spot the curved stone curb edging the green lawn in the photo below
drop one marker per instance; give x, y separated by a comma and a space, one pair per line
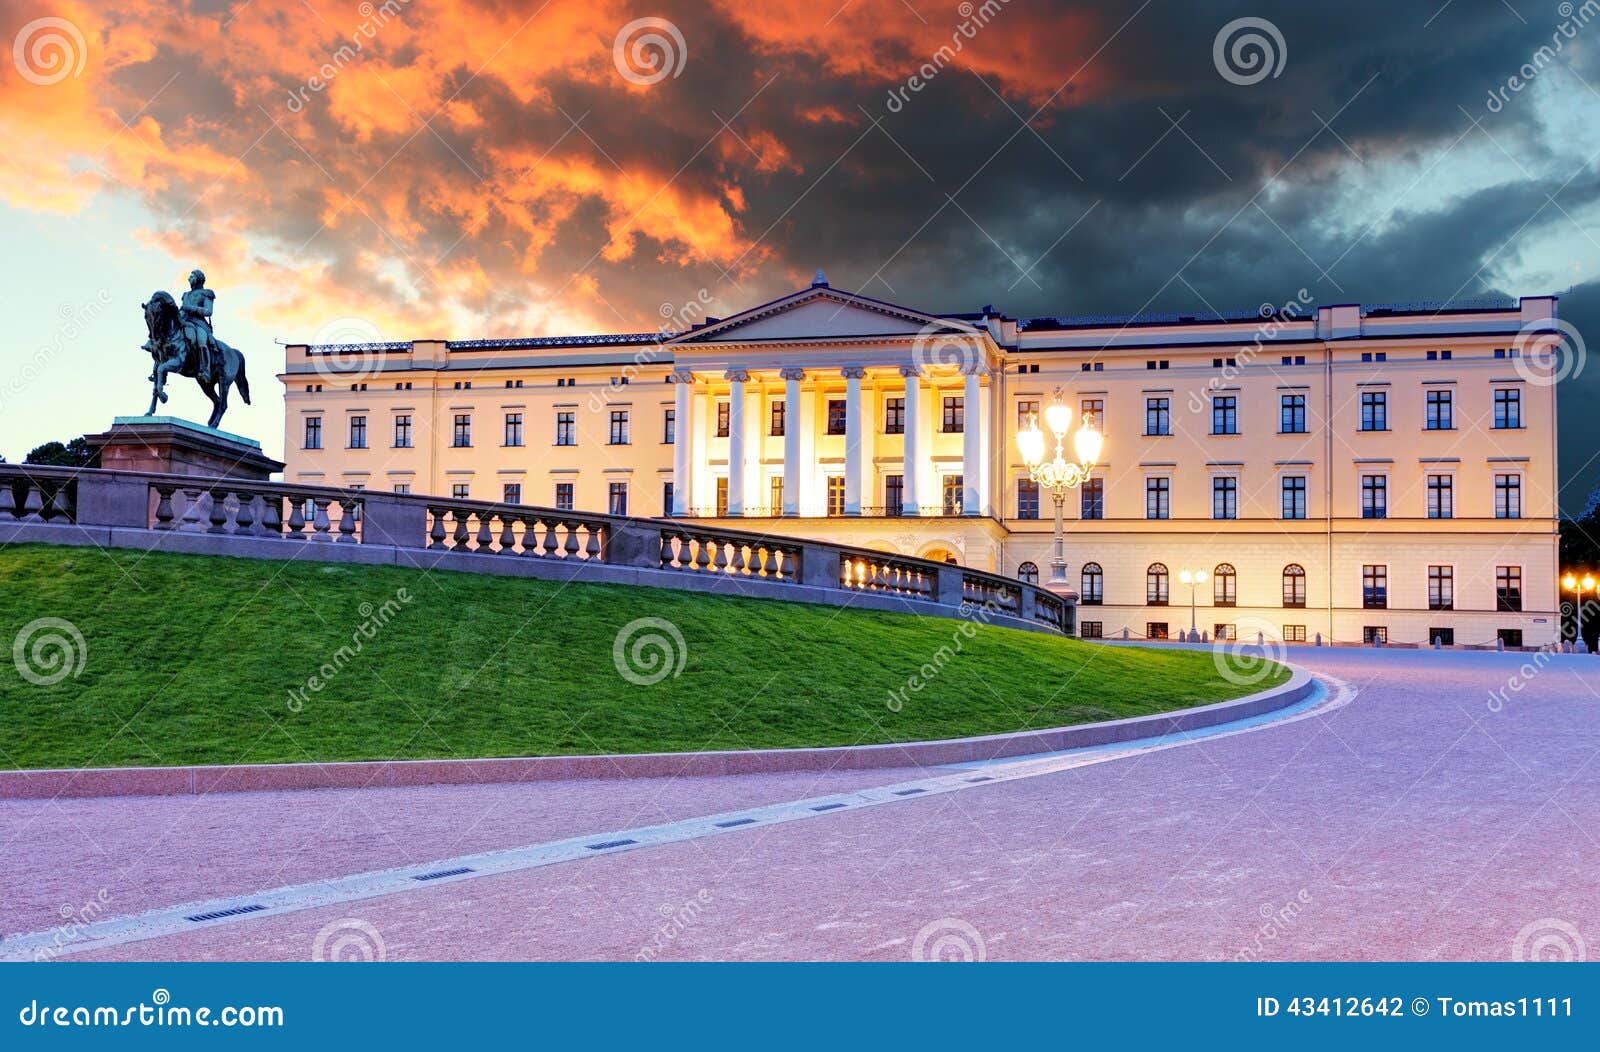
383, 775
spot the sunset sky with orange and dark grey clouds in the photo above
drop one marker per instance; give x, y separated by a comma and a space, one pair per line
514, 169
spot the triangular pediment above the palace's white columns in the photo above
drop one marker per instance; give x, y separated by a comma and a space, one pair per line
822, 313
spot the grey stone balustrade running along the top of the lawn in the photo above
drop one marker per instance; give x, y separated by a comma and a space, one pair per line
281, 520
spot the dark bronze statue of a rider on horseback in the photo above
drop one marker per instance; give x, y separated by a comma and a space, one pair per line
182, 341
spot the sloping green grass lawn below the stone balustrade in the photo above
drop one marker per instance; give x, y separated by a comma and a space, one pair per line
194, 659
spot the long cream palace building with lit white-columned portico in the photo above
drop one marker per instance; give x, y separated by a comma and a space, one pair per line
1348, 472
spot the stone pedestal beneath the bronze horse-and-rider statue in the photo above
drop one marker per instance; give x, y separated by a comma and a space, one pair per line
174, 447
